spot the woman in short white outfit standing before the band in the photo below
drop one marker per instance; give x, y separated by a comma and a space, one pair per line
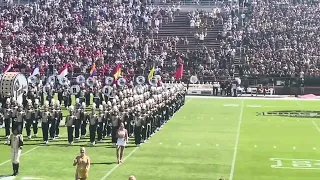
122, 139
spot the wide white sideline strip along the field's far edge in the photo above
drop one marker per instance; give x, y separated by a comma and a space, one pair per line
275, 98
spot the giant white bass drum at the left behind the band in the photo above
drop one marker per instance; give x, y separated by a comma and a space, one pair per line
13, 85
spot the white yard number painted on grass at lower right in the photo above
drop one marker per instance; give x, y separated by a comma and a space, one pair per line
282, 163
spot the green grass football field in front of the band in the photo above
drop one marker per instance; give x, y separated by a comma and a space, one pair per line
207, 139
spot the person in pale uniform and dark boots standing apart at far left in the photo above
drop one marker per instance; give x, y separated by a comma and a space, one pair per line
16, 143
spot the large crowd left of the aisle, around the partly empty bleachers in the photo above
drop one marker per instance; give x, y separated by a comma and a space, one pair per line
106, 32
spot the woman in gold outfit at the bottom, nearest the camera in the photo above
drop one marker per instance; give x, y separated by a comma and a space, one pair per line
83, 165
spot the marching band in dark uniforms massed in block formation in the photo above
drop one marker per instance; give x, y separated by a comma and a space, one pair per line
143, 109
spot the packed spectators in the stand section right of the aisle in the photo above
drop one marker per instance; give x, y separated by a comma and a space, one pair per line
282, 39
